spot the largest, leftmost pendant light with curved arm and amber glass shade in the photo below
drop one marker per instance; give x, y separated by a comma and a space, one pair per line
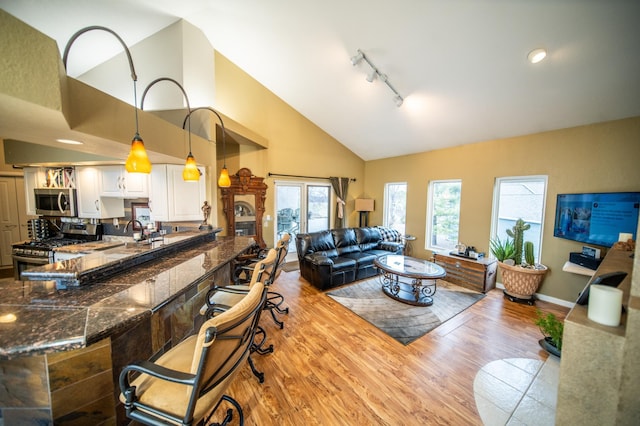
137, 161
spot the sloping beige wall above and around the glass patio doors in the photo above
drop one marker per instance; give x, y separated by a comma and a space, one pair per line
296, 145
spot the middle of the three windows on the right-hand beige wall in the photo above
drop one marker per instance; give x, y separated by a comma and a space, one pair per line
443, 217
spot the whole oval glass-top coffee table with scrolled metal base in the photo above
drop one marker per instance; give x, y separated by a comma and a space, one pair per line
409, 280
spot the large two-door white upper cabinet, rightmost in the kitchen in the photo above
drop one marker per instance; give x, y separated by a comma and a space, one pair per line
171, 199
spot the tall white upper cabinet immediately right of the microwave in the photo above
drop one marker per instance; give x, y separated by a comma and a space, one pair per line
91, 204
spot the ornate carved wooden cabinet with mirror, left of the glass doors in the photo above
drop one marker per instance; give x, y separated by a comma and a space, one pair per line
243, 205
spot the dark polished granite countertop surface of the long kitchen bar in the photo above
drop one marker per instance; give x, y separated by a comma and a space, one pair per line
37, 317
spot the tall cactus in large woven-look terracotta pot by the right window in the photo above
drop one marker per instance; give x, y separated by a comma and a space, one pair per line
521, 275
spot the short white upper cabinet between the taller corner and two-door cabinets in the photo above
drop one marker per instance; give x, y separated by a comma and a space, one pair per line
116, 182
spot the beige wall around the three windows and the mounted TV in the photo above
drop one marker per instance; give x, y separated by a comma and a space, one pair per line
596, 158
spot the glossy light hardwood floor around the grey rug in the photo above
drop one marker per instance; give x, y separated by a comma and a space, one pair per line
330, 367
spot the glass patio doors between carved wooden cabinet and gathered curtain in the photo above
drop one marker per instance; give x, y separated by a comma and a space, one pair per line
301, 207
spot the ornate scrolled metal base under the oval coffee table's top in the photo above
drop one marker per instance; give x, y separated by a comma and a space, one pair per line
413, 291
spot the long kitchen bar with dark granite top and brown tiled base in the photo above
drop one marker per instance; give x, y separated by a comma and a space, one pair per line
62, 350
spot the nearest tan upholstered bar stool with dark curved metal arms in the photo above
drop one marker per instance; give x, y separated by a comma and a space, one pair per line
185, 384
